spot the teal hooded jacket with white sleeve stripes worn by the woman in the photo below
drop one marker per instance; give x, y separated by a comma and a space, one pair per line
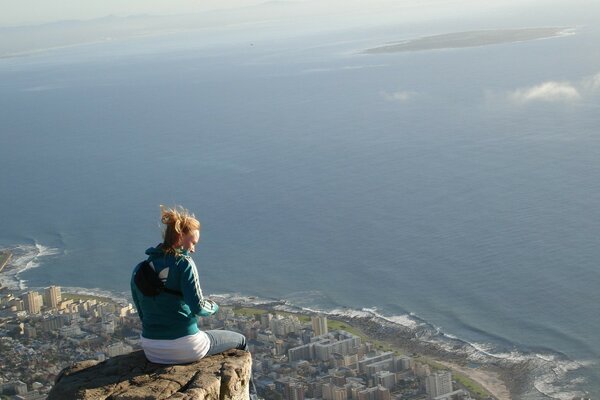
169, 316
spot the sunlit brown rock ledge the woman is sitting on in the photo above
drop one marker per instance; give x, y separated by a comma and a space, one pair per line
220, 377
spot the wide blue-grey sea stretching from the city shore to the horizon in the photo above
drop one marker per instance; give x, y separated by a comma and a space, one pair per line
410, 183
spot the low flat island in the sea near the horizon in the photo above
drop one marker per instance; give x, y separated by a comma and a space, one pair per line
457, 40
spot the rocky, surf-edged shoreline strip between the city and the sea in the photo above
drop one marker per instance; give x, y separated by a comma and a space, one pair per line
497, 371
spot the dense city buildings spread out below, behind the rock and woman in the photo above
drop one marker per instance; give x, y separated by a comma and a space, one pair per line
295, 357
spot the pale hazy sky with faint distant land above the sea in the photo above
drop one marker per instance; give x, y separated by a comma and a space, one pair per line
57, 26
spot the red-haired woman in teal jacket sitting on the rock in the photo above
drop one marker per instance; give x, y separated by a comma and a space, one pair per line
170, 333
